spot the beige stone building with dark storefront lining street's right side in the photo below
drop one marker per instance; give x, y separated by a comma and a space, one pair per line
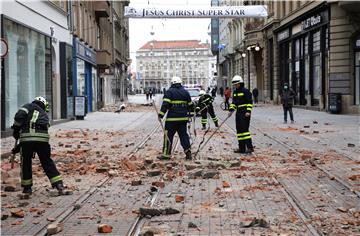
312, 45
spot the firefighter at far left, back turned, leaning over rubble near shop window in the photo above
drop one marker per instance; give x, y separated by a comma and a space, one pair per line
31, 124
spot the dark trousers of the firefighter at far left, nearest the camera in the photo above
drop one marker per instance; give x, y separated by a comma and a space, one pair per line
28, 149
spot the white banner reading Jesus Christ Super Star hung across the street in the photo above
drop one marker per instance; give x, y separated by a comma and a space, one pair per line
201, 12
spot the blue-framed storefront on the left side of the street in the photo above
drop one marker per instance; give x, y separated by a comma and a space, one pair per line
85, 74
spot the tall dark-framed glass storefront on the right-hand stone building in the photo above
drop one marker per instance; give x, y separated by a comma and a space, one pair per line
303, 53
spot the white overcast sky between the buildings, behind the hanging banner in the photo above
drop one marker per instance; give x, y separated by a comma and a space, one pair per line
166, 29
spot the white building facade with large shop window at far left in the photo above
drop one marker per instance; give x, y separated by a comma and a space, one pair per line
33, 65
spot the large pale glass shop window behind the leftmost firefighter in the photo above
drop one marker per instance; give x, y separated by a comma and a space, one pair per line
26, 70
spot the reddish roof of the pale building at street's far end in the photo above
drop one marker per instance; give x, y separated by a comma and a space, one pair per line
175, 44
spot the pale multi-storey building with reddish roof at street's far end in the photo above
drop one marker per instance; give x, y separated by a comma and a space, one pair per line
158, 61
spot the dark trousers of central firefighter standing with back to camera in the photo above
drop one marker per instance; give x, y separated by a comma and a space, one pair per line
171, 127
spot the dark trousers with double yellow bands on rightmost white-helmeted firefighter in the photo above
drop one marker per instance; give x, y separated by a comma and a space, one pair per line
242, 129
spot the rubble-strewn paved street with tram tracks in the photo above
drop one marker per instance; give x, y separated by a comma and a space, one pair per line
303, 178
